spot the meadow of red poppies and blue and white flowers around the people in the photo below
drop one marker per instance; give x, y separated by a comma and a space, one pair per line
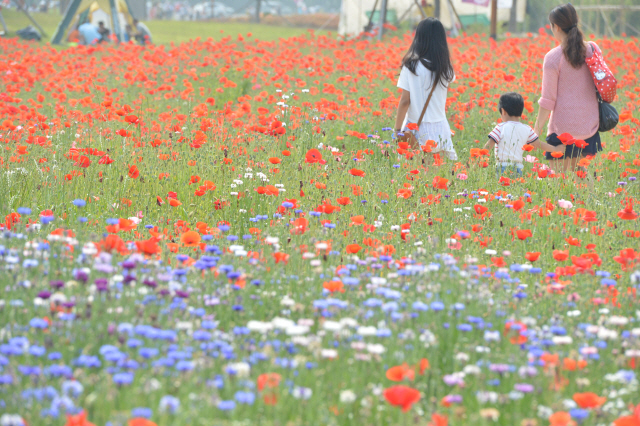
225, 233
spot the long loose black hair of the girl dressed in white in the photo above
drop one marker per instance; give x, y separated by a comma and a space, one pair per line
430, 47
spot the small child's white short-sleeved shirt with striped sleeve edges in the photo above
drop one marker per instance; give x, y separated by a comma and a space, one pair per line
510, 137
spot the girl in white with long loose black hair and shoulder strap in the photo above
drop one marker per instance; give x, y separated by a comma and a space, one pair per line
427, 70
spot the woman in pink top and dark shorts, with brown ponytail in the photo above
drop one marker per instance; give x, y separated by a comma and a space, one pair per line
569, 100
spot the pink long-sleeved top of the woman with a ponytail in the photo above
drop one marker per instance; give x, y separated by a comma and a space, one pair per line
570, 94
